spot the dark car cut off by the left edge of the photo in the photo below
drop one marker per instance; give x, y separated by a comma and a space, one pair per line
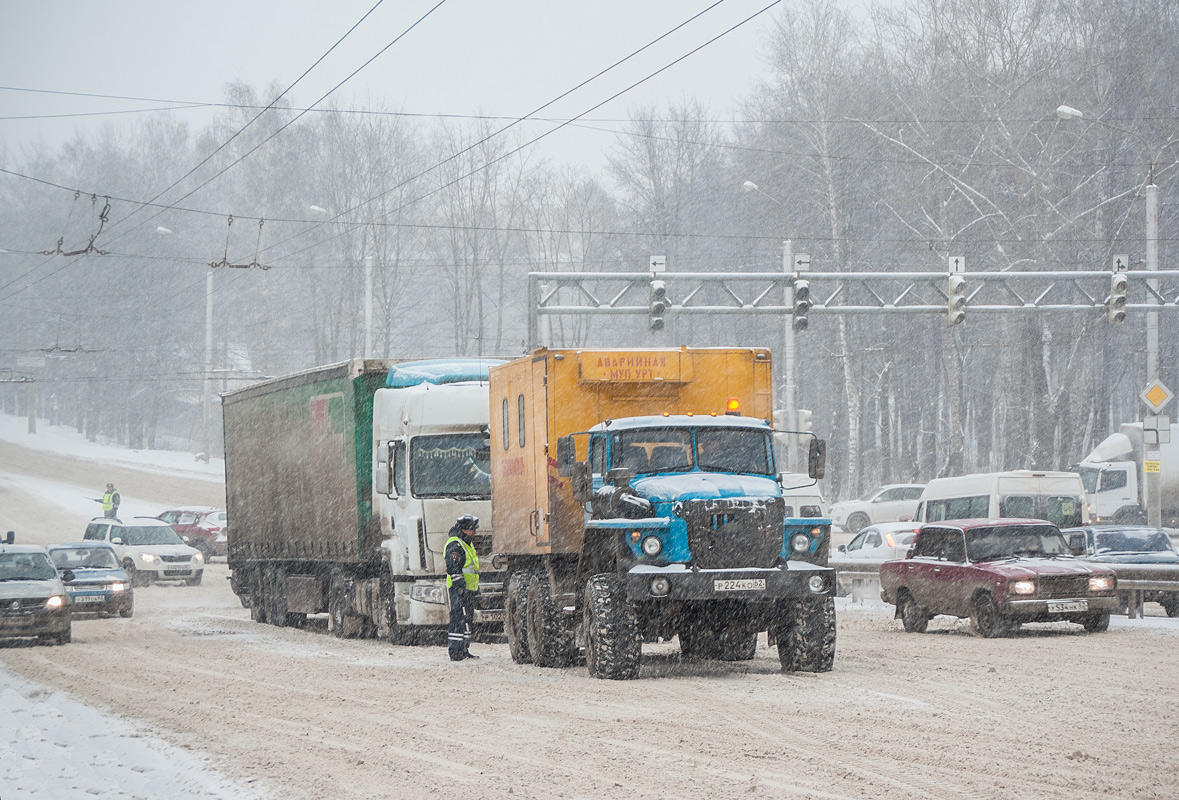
34, 601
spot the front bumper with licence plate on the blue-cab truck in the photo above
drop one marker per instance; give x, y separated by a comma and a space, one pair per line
677, 583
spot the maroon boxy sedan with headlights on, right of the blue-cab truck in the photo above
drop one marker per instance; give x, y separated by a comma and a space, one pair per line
1000, 573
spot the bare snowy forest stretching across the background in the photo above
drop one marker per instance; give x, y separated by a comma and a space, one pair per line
886, 142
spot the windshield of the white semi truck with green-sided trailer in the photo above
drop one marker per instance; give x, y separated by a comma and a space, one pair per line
456, 466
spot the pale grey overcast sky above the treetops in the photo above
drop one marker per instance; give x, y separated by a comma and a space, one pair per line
469, 57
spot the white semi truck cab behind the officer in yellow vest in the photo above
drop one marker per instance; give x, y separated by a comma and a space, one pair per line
432, 465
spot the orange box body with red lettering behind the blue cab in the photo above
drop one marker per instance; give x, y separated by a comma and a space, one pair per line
538, 399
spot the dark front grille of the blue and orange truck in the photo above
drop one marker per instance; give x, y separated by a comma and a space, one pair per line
732, 534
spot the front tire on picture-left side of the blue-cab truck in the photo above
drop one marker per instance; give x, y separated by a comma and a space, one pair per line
614, 646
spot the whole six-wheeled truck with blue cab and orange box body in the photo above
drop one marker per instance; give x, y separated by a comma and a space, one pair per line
635, 499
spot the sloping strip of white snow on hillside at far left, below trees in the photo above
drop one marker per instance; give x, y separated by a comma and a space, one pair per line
60, 439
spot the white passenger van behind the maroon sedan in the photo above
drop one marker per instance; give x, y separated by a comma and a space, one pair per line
1058, 498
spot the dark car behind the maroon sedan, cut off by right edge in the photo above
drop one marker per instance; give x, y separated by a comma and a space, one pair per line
1141, 556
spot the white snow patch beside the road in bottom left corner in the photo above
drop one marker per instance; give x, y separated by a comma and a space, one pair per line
52, 746
